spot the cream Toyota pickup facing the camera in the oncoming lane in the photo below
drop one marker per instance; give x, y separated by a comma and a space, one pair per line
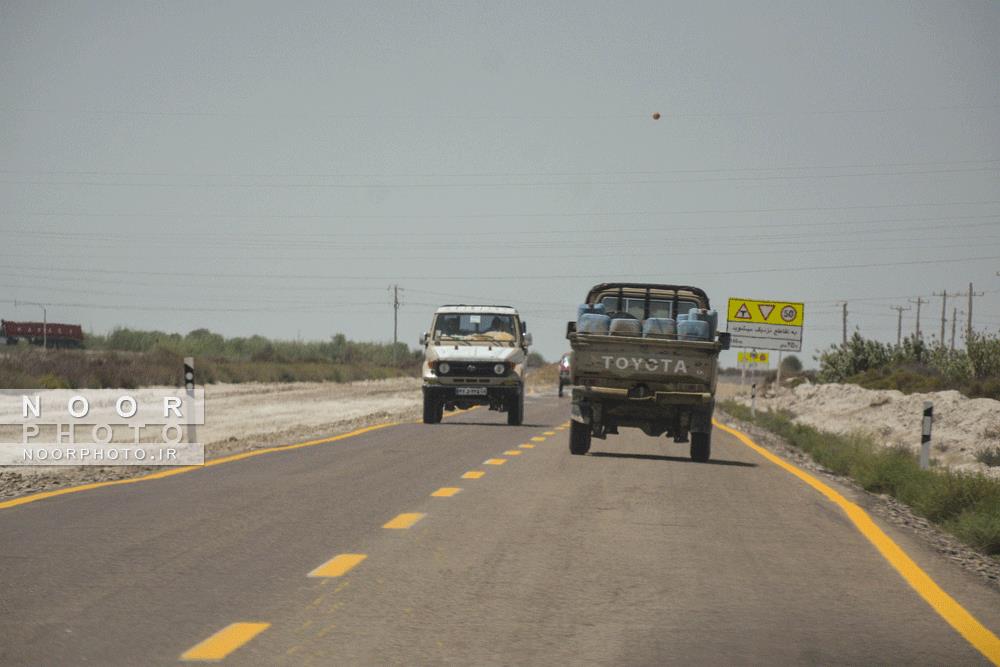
475, 355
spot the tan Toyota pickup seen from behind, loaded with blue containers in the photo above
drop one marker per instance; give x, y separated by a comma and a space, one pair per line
638, 362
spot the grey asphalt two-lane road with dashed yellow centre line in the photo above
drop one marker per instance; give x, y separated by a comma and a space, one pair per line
629, 556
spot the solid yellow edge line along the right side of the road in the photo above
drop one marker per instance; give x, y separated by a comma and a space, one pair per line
946, 606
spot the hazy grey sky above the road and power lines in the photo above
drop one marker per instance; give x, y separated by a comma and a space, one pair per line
273, 167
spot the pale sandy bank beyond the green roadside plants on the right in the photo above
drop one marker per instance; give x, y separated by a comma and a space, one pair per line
962, 426
